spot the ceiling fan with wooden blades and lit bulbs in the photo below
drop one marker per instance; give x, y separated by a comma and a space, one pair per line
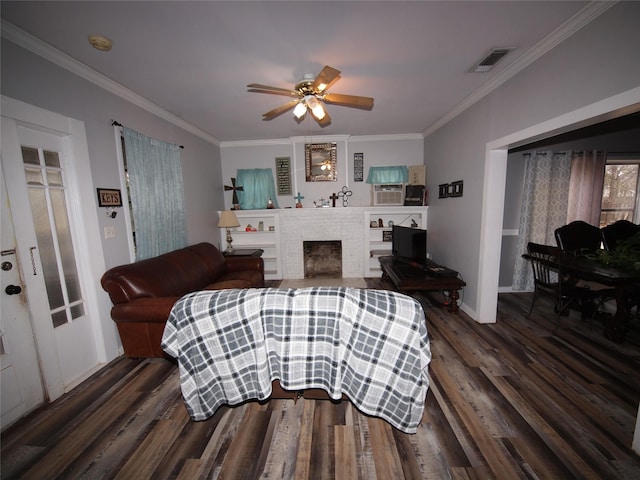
309, 94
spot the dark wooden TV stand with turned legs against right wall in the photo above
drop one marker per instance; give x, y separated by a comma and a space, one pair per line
414, 278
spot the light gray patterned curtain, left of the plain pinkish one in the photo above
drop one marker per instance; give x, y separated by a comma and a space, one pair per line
544, 207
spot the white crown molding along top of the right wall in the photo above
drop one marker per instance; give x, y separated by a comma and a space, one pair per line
583, 17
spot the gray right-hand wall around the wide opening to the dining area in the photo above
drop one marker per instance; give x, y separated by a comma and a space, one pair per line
596, 63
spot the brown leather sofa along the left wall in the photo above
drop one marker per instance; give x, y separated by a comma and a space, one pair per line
144, 292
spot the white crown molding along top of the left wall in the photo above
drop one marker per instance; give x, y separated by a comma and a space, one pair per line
27, 41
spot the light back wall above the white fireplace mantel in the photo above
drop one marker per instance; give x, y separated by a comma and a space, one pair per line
377, 151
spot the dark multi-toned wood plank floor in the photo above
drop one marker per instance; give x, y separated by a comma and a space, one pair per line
522, 398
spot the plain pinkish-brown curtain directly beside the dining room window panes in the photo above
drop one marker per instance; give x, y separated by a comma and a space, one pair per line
585, 189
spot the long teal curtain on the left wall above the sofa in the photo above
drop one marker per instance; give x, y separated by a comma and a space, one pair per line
156, 192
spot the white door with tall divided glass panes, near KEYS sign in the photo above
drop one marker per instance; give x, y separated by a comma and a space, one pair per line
36, 164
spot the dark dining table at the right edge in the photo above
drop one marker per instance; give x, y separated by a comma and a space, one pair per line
625, 281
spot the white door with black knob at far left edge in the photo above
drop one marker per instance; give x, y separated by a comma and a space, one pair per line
20, 378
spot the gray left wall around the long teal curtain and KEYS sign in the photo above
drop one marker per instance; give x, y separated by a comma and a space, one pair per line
31, 79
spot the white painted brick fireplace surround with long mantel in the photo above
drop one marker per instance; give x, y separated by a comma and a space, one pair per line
292, 226
